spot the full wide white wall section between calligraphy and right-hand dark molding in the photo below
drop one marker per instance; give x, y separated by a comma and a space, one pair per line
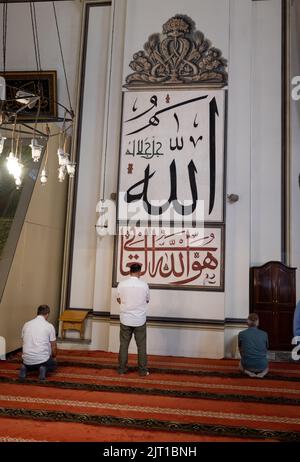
253, 225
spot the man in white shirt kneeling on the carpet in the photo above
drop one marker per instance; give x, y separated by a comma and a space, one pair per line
39, 345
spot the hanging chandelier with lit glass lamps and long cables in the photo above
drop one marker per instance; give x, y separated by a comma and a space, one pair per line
15, 101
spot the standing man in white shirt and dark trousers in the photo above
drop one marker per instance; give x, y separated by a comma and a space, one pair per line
133, 296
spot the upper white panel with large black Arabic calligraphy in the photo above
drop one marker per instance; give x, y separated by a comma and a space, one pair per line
172, 156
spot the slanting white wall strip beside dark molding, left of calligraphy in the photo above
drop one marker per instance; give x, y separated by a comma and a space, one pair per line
90, 150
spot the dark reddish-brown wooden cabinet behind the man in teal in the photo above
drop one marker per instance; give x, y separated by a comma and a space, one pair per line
273, 298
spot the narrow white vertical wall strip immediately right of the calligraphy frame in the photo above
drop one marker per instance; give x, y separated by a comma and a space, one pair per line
237, 248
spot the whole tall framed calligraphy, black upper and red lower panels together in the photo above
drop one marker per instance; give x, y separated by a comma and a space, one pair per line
171, 191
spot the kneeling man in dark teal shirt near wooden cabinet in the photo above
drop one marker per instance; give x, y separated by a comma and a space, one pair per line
253, 346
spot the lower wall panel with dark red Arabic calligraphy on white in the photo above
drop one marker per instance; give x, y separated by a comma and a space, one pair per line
182, 259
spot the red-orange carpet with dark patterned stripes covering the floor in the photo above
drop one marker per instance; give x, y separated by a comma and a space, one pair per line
182, 400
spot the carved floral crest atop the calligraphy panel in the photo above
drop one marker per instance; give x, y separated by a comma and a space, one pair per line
179, 55
